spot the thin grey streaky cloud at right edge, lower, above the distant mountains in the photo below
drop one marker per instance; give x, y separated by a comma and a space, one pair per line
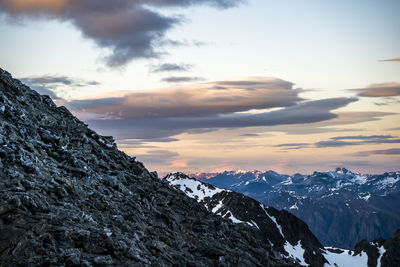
358, 140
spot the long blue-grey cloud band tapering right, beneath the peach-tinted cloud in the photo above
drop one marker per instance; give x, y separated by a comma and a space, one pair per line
158, 127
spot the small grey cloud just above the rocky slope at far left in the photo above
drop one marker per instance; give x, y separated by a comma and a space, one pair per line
49, 84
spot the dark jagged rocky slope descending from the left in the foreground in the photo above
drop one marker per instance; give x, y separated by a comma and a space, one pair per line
69, 197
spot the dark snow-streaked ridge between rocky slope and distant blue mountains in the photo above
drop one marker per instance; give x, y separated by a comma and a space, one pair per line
285, 232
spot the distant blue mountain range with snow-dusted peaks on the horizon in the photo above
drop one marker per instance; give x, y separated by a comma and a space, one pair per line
340, 207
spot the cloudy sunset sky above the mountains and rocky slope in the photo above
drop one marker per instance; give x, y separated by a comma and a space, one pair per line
213, 85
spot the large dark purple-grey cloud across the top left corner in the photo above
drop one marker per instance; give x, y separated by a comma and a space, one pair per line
131, 29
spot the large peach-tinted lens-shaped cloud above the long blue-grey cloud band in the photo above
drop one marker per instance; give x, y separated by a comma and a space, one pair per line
194, 100
